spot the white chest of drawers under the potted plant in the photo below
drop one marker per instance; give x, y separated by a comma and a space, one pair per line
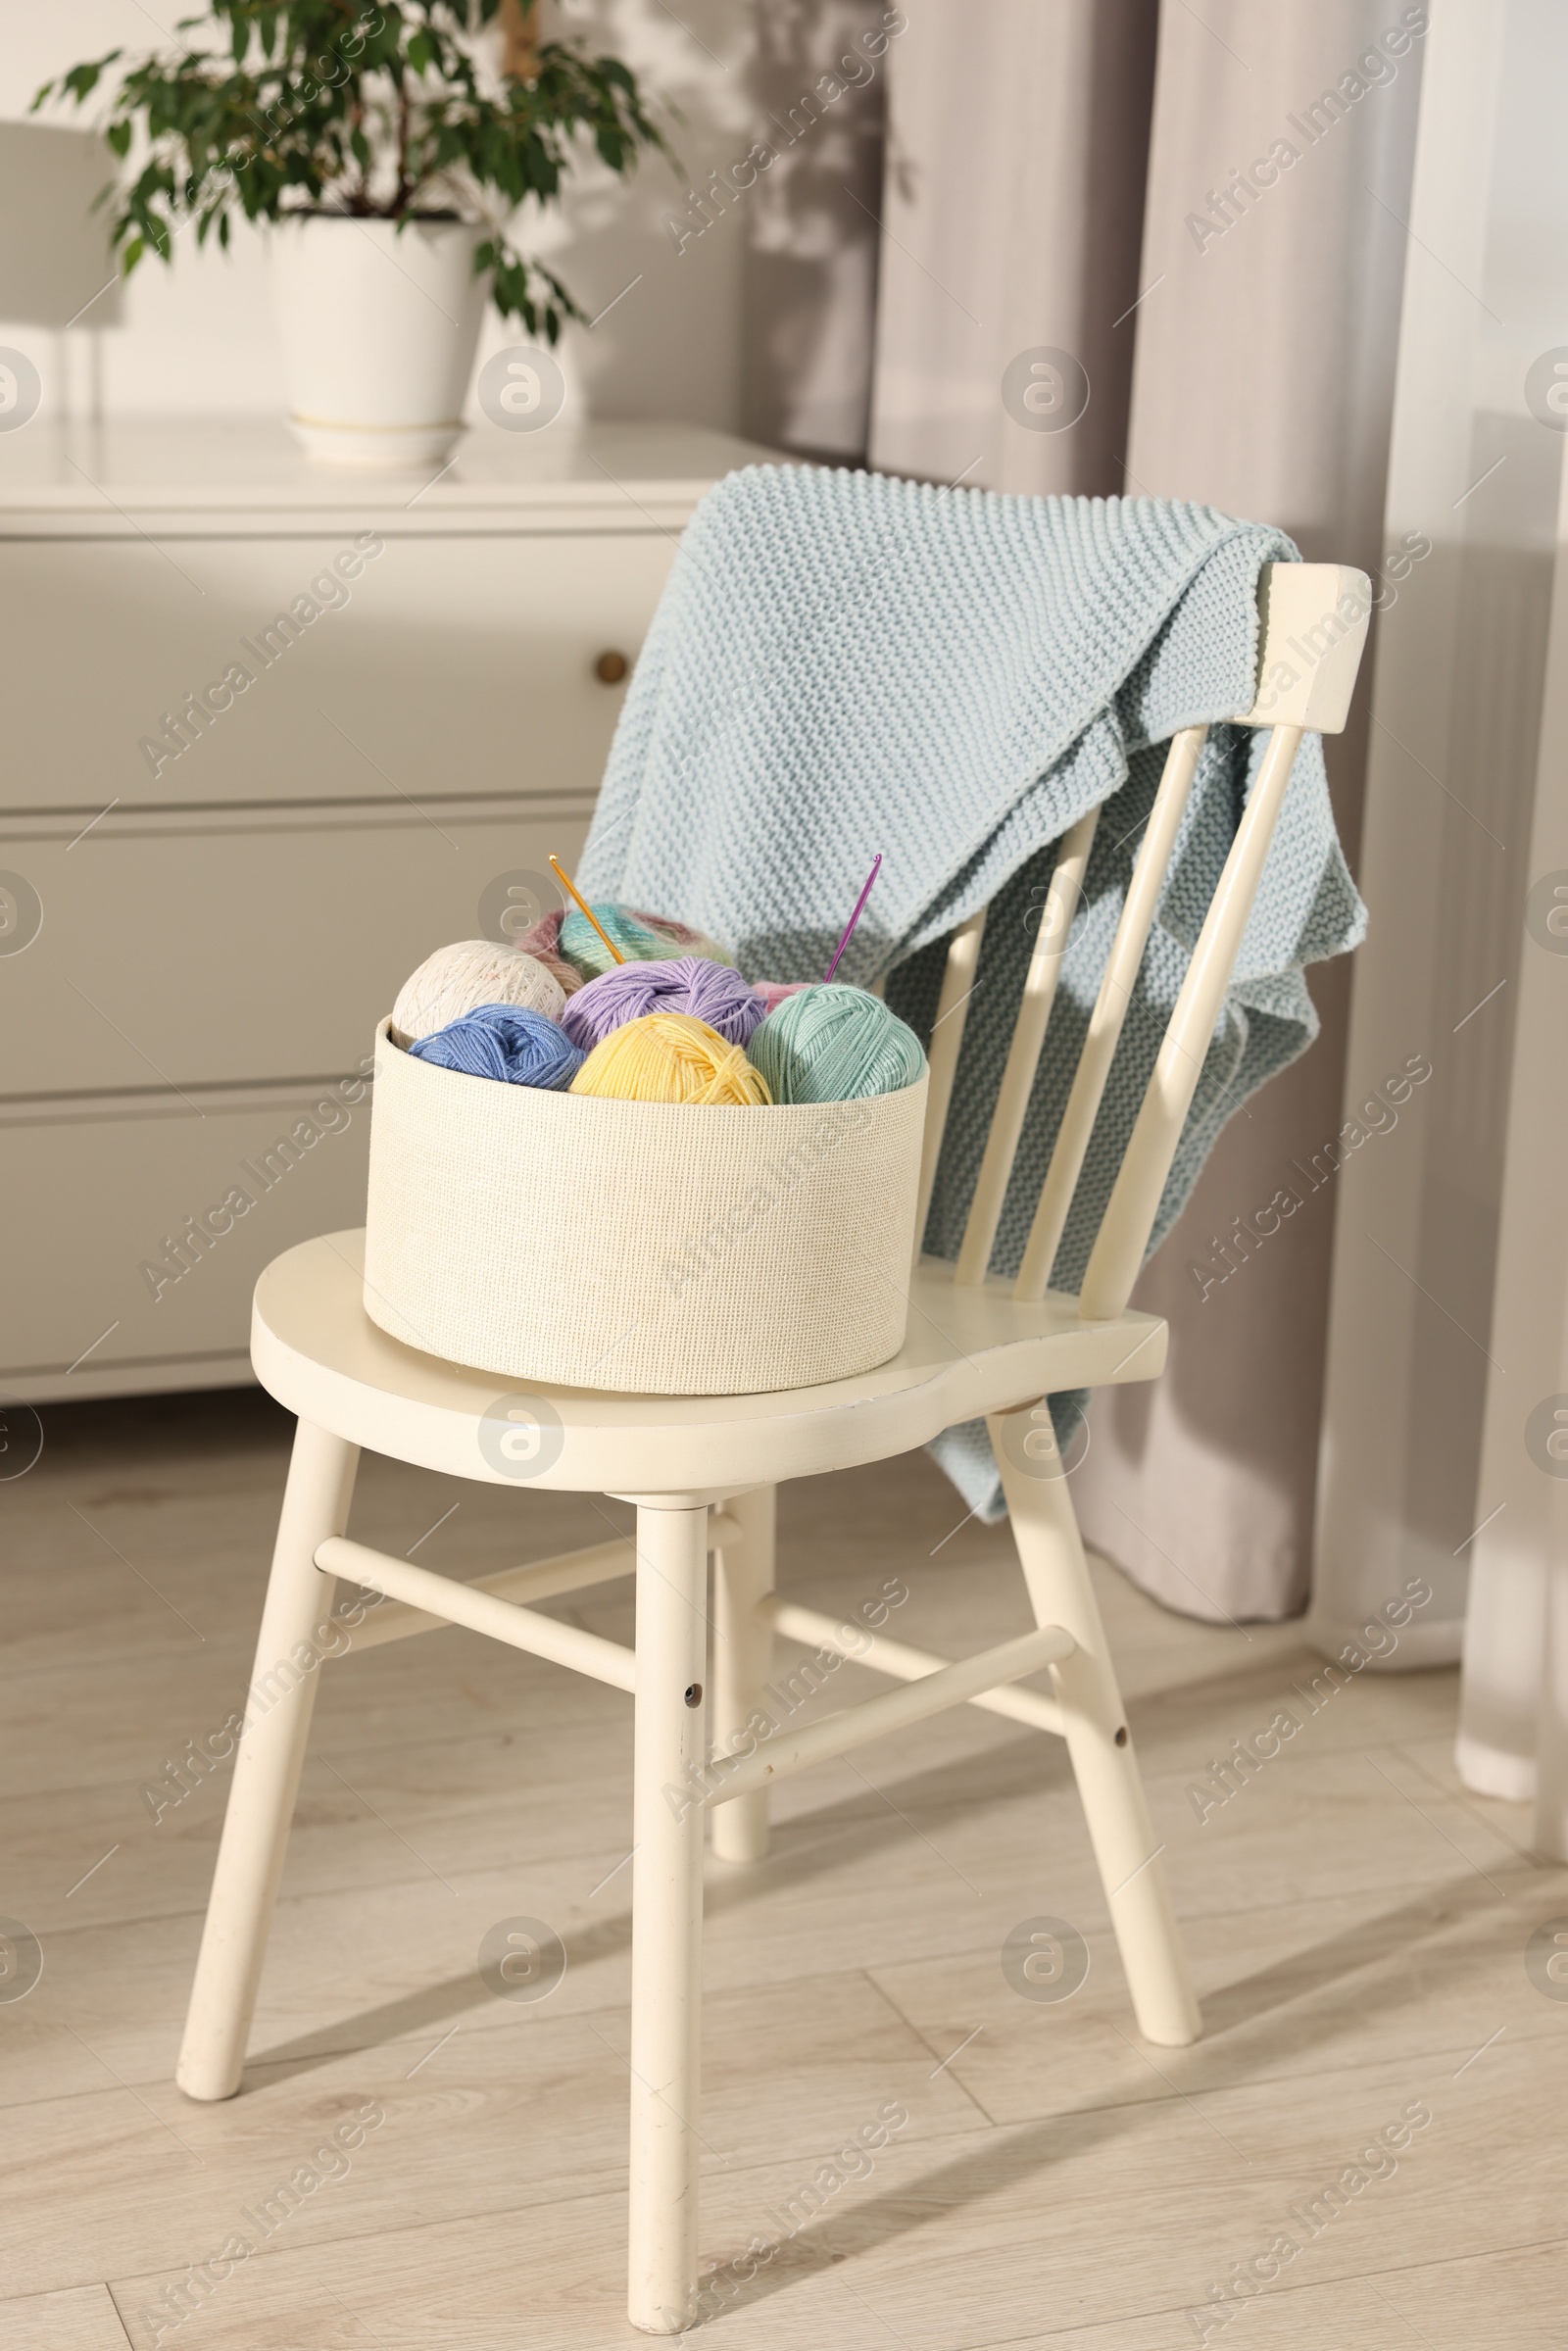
398, 709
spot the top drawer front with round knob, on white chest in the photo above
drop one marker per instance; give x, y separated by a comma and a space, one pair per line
445, 669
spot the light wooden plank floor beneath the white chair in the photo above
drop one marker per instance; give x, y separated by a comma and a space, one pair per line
1358, 1927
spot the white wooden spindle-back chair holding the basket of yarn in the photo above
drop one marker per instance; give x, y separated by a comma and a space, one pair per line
704, 1473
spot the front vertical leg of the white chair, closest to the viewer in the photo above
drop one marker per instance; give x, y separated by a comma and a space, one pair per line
671, 1750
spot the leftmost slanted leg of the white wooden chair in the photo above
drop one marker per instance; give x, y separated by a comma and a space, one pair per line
267, 1769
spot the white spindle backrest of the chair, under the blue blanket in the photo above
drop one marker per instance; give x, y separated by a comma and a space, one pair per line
1311, 645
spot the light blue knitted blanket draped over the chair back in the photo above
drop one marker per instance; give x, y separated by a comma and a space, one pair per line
847, 664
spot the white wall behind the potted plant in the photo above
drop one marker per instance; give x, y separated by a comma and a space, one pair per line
199, 337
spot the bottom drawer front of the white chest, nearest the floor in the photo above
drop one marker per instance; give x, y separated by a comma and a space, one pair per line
105, 1203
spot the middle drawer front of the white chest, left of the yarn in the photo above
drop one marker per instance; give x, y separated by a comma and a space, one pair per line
250, 946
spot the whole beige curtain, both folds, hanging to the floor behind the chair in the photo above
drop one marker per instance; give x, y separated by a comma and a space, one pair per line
1261, 373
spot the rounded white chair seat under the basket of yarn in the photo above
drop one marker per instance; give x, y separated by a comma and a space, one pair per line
967, 1353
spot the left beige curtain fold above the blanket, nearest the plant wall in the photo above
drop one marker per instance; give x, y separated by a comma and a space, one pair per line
1012, 217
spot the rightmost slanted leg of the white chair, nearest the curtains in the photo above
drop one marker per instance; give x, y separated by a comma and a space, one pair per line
1054, 1567
